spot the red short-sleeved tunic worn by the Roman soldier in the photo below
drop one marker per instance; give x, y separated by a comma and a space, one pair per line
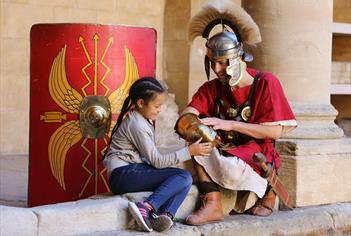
270, 107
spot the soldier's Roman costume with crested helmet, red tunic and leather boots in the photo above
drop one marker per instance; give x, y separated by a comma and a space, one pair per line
237, 181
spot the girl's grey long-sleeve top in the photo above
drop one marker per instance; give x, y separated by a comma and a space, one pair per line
134, 142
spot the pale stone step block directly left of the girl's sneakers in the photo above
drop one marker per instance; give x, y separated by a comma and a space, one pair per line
82, 216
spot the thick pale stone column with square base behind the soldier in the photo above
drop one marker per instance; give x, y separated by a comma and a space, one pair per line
296, 47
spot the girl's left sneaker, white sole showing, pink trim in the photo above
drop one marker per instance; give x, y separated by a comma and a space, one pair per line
141, 214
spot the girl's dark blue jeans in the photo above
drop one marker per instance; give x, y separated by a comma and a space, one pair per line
169, 185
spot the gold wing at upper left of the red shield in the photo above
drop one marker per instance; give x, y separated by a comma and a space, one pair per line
60, 90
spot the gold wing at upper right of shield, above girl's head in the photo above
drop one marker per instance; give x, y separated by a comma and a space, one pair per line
131, 74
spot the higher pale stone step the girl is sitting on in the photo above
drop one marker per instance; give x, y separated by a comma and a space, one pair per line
100, 212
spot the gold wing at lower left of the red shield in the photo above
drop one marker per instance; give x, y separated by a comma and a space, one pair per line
60, 142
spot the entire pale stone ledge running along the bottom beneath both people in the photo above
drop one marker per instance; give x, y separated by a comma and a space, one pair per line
108, 215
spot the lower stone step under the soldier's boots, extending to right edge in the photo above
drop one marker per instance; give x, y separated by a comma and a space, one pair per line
319, 220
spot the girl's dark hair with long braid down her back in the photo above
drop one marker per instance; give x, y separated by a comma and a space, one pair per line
145, 88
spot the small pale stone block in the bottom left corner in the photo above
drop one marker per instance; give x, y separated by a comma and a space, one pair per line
17, 221
